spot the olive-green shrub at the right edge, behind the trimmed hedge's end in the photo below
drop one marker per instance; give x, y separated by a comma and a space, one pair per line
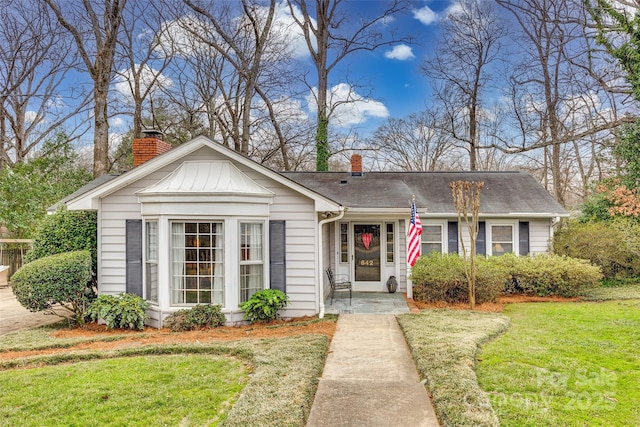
614, 245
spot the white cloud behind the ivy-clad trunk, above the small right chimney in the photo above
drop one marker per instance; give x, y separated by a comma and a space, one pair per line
348, 108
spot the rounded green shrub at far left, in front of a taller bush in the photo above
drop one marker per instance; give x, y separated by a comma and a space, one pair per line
56, 279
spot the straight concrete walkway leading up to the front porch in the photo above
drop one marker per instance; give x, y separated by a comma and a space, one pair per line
369, 378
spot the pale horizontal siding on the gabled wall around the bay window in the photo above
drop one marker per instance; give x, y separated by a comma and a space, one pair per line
297, 210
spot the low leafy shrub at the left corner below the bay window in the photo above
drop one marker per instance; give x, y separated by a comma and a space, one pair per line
124, 311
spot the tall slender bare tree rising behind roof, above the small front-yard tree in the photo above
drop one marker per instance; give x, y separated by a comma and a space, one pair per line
471, 40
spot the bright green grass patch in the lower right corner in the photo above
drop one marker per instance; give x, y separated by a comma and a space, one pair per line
566, 364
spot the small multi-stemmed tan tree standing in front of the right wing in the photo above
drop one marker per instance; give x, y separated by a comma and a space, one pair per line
466, 201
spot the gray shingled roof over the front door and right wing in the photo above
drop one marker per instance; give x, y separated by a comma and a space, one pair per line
503, 192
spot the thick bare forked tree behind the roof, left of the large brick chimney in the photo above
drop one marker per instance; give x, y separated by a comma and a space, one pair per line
95, 27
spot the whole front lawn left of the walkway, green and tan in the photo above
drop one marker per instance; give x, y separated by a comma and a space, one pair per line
197, 378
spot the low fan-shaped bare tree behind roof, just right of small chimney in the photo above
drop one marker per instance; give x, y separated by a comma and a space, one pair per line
414, 143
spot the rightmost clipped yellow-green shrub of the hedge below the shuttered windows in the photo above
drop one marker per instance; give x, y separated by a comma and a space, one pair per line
545, 275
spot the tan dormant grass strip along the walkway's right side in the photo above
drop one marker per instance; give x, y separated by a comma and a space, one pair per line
444, 344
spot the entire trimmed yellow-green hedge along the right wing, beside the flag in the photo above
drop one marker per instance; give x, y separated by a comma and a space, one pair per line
440, 277
